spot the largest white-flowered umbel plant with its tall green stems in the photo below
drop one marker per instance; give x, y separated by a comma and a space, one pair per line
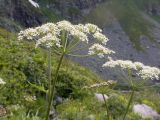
63, 38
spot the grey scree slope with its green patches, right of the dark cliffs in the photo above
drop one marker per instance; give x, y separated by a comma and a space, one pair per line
134, 33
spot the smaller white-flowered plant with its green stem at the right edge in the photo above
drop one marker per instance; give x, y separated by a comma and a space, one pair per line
137, 74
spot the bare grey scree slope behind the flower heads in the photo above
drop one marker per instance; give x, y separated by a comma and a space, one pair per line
120, 43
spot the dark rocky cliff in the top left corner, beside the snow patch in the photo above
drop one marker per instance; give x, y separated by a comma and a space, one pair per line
20, 11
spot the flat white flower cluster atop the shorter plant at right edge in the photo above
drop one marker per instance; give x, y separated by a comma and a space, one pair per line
143, 71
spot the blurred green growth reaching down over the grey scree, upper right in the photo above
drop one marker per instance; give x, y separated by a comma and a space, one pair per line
128, 13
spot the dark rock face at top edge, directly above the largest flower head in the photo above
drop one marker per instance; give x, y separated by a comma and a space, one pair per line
73, 9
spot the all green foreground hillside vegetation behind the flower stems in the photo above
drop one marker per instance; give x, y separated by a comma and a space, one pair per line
23, 67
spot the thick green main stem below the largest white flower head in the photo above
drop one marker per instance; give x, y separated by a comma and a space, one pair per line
53, 87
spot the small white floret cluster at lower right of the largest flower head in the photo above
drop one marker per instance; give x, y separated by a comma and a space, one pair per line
99, 50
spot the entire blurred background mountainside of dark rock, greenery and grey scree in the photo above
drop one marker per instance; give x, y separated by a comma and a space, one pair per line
133, 30
